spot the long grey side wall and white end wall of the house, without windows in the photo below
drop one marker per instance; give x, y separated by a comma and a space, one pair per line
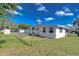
56, 32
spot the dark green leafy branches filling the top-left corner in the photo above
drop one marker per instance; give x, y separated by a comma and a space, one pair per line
6, 6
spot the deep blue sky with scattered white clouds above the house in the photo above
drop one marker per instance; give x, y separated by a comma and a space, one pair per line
46, 13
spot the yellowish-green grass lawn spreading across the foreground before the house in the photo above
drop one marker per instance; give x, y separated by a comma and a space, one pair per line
10, 45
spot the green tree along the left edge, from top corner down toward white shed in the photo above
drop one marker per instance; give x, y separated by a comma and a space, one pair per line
4, 10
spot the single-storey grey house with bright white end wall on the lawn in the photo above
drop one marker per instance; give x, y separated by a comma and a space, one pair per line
53, 31
